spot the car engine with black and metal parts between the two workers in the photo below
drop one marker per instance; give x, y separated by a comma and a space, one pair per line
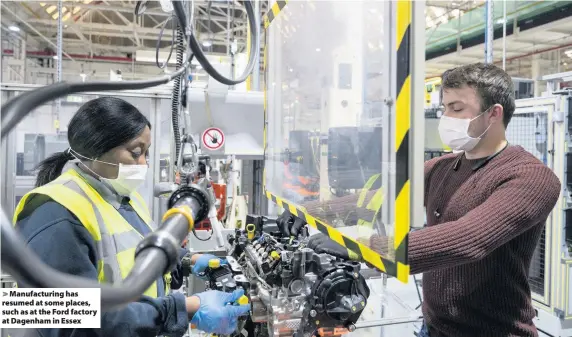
293, 290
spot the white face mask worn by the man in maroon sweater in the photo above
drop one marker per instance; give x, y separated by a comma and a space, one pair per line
454, 133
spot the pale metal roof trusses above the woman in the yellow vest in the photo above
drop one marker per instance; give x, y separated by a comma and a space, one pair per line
123, 32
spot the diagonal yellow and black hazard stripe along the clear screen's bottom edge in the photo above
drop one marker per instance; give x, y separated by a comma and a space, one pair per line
364, 252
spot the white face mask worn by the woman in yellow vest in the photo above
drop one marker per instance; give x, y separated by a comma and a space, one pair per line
129, 177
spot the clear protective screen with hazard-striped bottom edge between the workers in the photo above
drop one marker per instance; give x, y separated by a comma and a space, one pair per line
330, 153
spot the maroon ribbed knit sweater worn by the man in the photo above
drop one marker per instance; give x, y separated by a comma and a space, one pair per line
484, 221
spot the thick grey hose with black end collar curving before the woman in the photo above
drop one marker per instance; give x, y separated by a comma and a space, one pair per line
154, 256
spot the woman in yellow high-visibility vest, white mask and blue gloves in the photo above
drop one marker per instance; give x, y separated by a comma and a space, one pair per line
88, 221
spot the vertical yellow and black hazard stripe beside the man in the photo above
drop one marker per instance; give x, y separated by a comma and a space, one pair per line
402, 127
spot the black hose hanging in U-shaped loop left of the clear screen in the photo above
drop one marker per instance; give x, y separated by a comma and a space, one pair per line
200, 55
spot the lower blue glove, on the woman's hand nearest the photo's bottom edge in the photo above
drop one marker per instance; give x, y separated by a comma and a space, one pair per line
216, 315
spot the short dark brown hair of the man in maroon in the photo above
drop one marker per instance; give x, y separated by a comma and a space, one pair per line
493, 85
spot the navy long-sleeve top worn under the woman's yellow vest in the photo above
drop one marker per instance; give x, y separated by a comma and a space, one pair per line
62, 242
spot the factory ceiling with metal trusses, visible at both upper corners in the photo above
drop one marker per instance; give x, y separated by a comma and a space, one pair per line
110, 29
